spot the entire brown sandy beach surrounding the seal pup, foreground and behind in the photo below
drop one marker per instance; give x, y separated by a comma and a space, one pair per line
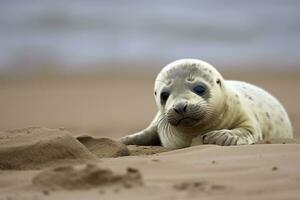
84, 160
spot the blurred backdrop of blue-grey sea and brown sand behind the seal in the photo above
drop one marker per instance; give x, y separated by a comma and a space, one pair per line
90, 65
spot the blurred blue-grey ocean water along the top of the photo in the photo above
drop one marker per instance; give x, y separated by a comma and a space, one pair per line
73, 34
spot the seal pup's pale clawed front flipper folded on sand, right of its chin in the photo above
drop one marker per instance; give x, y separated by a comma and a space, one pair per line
227, 137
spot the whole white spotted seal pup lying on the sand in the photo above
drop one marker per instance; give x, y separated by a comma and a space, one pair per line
193, 100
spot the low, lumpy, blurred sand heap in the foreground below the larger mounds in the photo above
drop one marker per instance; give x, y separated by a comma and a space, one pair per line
85, 177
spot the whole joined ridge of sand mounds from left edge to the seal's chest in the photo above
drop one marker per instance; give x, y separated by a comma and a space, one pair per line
36, 147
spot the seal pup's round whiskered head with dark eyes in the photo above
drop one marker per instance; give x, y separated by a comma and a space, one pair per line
188, 92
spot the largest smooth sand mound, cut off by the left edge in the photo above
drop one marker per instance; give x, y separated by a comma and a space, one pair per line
35, 147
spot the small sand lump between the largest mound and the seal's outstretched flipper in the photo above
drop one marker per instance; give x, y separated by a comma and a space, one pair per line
104, 147
